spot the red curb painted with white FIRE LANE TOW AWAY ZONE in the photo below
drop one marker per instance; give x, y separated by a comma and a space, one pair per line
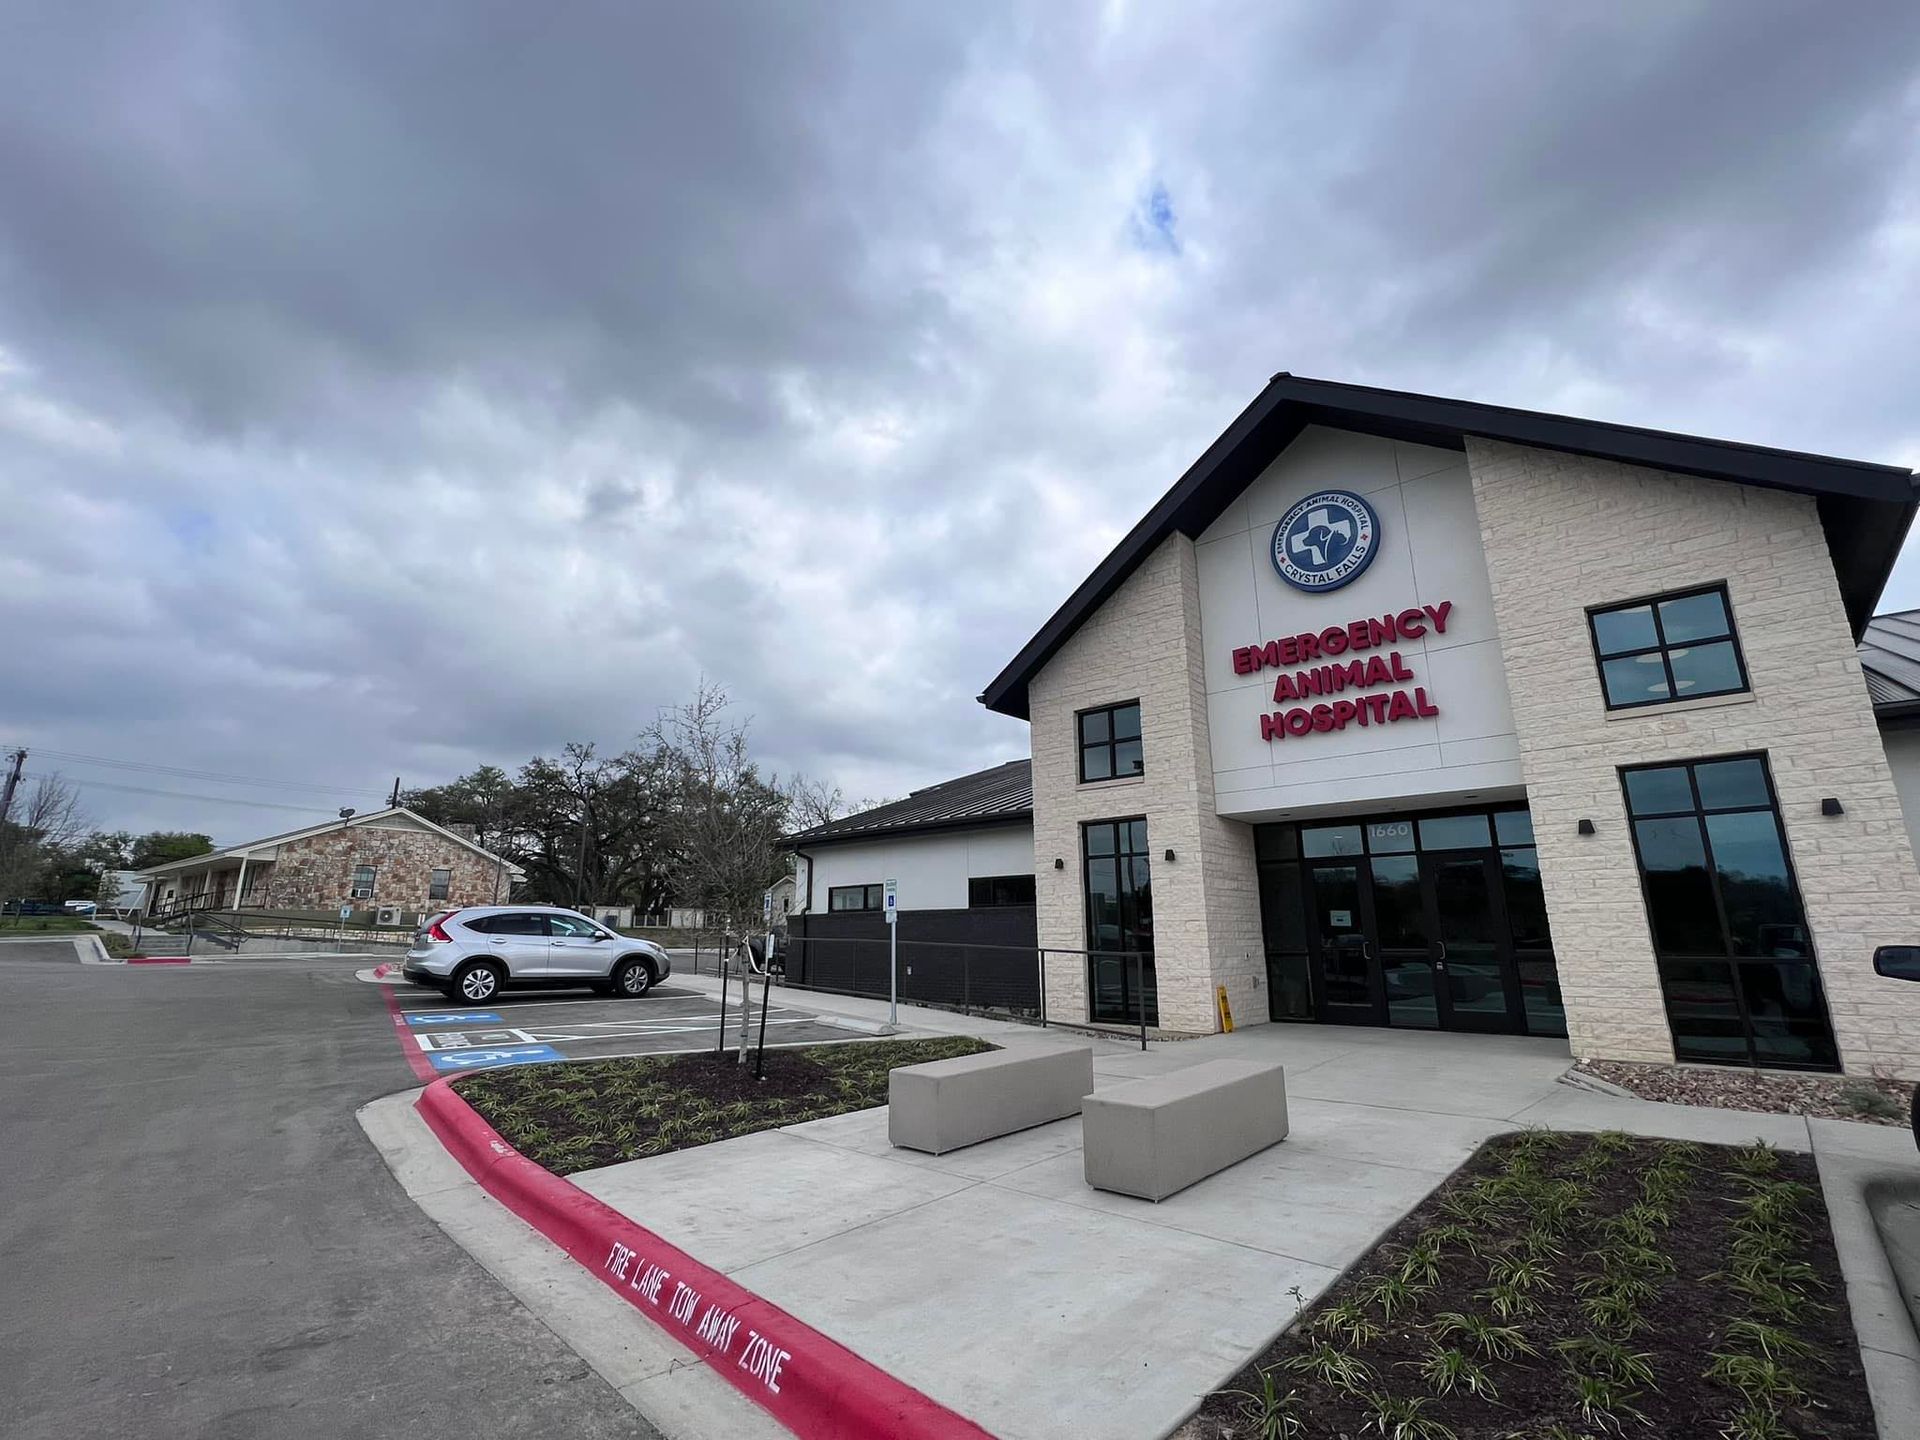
813, 1385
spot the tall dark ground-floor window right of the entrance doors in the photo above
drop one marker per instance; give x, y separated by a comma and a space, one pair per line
1729, 930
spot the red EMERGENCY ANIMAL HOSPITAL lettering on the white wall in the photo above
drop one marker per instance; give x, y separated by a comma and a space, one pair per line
1356, 683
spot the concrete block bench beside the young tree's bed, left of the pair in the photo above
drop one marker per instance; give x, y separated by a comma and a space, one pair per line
951, 1103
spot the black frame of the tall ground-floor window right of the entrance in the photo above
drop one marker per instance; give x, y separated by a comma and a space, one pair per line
1727, 957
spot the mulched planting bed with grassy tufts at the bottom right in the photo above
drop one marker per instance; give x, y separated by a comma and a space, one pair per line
1577, 1285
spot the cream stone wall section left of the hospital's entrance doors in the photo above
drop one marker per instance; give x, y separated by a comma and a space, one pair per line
1145, 644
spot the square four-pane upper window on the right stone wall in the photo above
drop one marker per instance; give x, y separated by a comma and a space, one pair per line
1669, 648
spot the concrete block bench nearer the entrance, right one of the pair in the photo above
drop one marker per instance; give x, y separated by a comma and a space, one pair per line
1159, 1136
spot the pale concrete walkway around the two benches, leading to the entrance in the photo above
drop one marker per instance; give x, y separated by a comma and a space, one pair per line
997, 1284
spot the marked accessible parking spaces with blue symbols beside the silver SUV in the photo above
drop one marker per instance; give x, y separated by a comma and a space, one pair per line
527, 1028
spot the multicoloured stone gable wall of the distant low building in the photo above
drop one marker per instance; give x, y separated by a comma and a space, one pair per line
318, 873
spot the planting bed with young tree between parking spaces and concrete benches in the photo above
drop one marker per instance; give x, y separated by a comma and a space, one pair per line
602, 1113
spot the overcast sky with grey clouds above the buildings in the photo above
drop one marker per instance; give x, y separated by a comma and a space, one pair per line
396, 389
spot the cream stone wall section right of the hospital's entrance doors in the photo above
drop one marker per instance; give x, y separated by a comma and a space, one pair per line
1564, 533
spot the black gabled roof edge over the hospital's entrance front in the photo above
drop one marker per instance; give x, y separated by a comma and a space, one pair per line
1865, 510
